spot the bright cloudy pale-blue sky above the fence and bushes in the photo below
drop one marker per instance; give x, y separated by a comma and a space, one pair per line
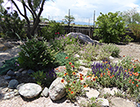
83, 10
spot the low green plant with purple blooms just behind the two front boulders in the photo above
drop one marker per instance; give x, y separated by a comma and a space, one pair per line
44, 79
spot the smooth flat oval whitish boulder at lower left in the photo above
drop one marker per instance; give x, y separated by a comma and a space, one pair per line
30, 90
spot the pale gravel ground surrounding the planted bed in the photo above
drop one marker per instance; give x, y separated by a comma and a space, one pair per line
132, 49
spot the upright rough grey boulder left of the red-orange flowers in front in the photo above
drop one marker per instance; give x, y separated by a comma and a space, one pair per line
57, 89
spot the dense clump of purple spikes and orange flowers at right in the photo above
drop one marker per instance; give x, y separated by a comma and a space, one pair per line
113, 75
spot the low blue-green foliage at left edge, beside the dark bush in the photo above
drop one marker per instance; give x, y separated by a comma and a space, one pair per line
11, 64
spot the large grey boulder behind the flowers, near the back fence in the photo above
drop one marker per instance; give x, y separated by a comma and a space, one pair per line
82, 38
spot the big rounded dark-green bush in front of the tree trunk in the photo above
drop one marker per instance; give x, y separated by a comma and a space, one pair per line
36, 55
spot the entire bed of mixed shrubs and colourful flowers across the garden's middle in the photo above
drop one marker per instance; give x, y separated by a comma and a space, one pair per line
124, 75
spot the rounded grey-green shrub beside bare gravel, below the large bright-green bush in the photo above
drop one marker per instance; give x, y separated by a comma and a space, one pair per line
112, 49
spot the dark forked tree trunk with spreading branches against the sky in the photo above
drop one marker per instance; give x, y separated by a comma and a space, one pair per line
35, 7
